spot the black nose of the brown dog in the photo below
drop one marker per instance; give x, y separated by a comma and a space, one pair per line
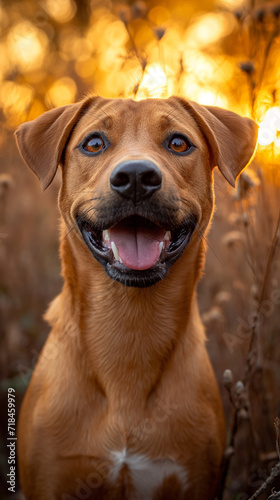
136, 179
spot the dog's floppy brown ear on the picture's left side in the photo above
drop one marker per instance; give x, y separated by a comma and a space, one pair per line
41, 142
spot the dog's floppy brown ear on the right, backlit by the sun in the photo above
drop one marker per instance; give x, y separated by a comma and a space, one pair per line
231, 138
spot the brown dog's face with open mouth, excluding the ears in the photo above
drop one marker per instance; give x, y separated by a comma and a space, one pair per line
137, 168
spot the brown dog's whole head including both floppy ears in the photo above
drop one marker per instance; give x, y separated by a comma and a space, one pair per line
137, 176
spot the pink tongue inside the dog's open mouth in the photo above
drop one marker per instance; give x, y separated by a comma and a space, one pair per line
138, 244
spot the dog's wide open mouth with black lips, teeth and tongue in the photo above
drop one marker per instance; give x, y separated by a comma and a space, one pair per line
136, 251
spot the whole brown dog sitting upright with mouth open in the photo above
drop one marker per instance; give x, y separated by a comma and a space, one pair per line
123, 403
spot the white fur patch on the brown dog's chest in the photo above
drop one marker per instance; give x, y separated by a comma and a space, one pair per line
147, 475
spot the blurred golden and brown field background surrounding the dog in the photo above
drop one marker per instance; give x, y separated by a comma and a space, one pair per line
222, 52
